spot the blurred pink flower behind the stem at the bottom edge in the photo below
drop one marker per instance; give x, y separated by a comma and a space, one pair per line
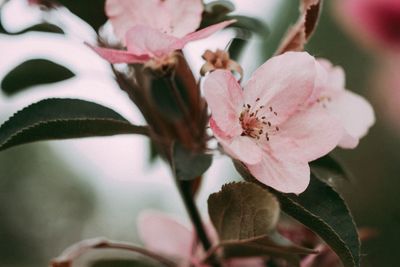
164, 234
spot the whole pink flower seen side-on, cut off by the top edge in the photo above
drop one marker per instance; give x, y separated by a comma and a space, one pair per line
154, 28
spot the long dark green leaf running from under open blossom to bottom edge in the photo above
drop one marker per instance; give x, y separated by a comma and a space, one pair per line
321, 209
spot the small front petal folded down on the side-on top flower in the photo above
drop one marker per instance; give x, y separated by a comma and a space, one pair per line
144, 40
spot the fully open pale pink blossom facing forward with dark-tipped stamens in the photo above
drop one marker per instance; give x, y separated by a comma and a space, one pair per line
273, 125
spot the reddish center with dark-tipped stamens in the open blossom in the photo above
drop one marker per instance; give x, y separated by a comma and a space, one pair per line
257, 126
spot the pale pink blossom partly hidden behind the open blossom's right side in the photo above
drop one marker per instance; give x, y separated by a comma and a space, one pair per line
352, 110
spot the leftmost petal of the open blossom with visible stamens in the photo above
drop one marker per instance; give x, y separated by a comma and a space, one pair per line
225, 99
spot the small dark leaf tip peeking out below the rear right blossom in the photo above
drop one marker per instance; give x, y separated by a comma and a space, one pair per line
328, 168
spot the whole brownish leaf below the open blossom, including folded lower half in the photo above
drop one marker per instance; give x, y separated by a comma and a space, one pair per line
245, 217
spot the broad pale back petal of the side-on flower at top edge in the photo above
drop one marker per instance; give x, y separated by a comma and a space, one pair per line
174, 17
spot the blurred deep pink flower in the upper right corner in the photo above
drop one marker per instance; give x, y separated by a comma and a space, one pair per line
375, 22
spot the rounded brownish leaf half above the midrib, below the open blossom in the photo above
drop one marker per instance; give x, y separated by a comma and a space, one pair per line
242, 211
